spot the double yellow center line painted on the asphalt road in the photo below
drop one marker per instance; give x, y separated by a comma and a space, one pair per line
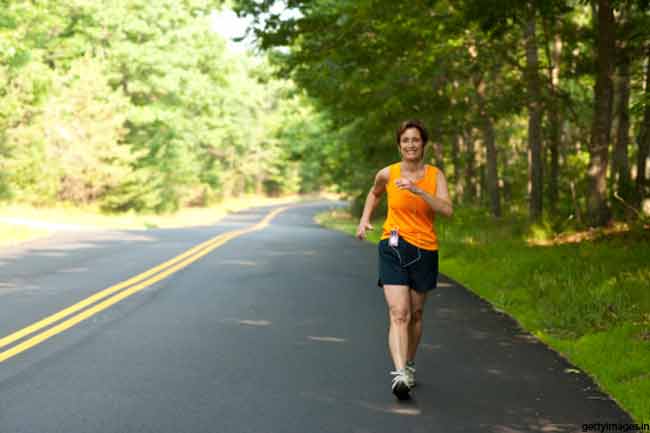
115, 294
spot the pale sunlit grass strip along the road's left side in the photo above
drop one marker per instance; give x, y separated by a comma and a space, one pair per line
91, 217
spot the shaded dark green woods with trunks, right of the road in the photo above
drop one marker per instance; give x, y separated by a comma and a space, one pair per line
540, 107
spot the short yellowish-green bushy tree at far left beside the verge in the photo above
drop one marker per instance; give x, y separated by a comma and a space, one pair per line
71, 148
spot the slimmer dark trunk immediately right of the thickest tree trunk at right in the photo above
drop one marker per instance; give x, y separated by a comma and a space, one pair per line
620, 161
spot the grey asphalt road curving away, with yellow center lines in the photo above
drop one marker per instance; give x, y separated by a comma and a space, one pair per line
278, 330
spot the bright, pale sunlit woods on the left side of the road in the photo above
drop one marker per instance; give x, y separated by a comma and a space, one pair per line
140, 105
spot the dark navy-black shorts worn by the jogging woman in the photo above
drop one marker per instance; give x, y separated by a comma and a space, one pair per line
407, 265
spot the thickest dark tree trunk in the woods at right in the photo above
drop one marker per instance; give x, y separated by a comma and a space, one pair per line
598, 211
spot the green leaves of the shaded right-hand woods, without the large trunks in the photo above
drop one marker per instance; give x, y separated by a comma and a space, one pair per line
373, 63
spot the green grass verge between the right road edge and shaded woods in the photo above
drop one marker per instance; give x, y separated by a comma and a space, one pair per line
589, 300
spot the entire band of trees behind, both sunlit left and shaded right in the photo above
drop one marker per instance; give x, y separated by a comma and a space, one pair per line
535, 107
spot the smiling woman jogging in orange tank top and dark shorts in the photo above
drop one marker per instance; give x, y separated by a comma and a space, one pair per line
408, 250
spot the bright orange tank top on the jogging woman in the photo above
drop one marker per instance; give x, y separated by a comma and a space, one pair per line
409, 213
